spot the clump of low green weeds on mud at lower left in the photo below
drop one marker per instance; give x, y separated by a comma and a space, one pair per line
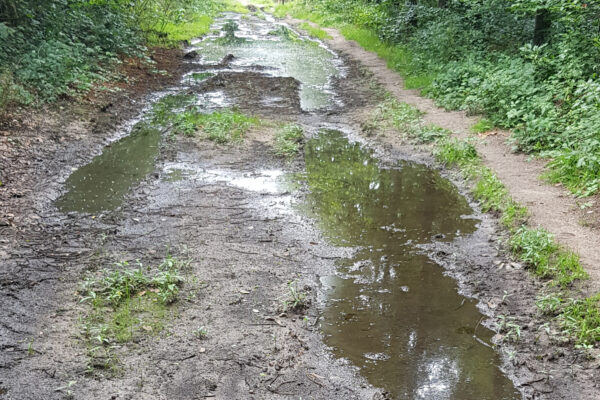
126, 303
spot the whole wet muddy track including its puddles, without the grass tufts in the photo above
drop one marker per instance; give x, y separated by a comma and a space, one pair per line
363, 235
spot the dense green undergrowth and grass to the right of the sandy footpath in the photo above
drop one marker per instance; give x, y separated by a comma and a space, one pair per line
528, 65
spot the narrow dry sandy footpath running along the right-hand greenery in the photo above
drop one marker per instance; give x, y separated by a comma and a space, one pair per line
551, 206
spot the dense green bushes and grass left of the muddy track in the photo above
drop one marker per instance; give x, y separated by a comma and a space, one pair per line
54, 48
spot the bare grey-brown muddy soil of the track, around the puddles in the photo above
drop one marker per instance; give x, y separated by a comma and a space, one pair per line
244, 248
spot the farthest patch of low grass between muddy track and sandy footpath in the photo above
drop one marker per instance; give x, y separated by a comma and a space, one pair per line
407, 119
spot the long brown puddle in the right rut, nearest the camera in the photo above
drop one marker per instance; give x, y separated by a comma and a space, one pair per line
390, 309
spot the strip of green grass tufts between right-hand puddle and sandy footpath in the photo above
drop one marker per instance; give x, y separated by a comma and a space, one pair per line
579, 319
